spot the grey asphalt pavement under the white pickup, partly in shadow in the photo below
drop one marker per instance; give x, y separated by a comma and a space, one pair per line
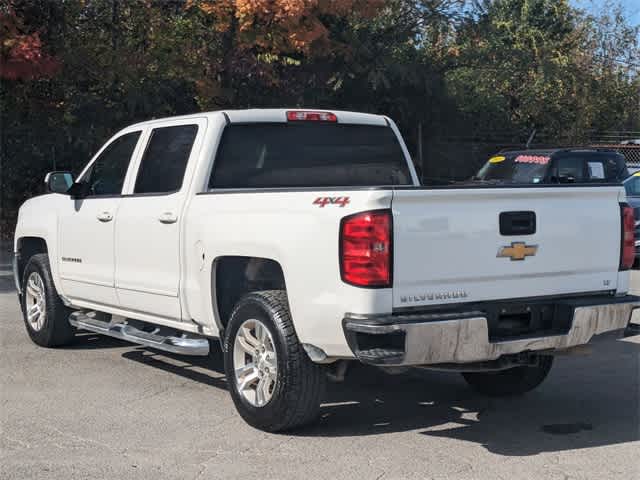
104, 409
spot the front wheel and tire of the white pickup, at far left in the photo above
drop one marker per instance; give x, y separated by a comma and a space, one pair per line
52, 328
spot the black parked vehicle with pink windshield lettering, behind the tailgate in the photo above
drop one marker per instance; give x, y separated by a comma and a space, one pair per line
554, 166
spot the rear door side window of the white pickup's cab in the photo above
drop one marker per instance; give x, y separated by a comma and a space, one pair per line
165, 159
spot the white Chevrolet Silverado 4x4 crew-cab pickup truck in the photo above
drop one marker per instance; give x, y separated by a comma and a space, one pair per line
303, 240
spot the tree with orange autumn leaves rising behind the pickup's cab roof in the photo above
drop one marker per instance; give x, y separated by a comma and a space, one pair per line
261, 46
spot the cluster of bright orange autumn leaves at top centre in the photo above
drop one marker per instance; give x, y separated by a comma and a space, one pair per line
284, 25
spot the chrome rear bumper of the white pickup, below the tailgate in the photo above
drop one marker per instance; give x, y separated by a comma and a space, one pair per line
464, 337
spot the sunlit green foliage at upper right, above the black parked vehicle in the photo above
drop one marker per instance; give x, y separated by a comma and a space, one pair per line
538, 64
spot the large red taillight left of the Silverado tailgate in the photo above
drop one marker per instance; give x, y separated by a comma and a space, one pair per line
365, 249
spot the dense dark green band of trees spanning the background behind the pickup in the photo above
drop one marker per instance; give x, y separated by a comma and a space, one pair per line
499, 65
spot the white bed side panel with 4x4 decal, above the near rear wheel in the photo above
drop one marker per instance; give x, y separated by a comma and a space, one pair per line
301, 236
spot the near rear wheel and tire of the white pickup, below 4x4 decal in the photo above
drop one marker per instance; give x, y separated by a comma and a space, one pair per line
294, 392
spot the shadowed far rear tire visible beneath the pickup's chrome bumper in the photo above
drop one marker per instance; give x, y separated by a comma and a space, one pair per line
514, 381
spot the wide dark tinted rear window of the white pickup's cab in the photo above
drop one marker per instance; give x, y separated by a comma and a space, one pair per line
265, 155
